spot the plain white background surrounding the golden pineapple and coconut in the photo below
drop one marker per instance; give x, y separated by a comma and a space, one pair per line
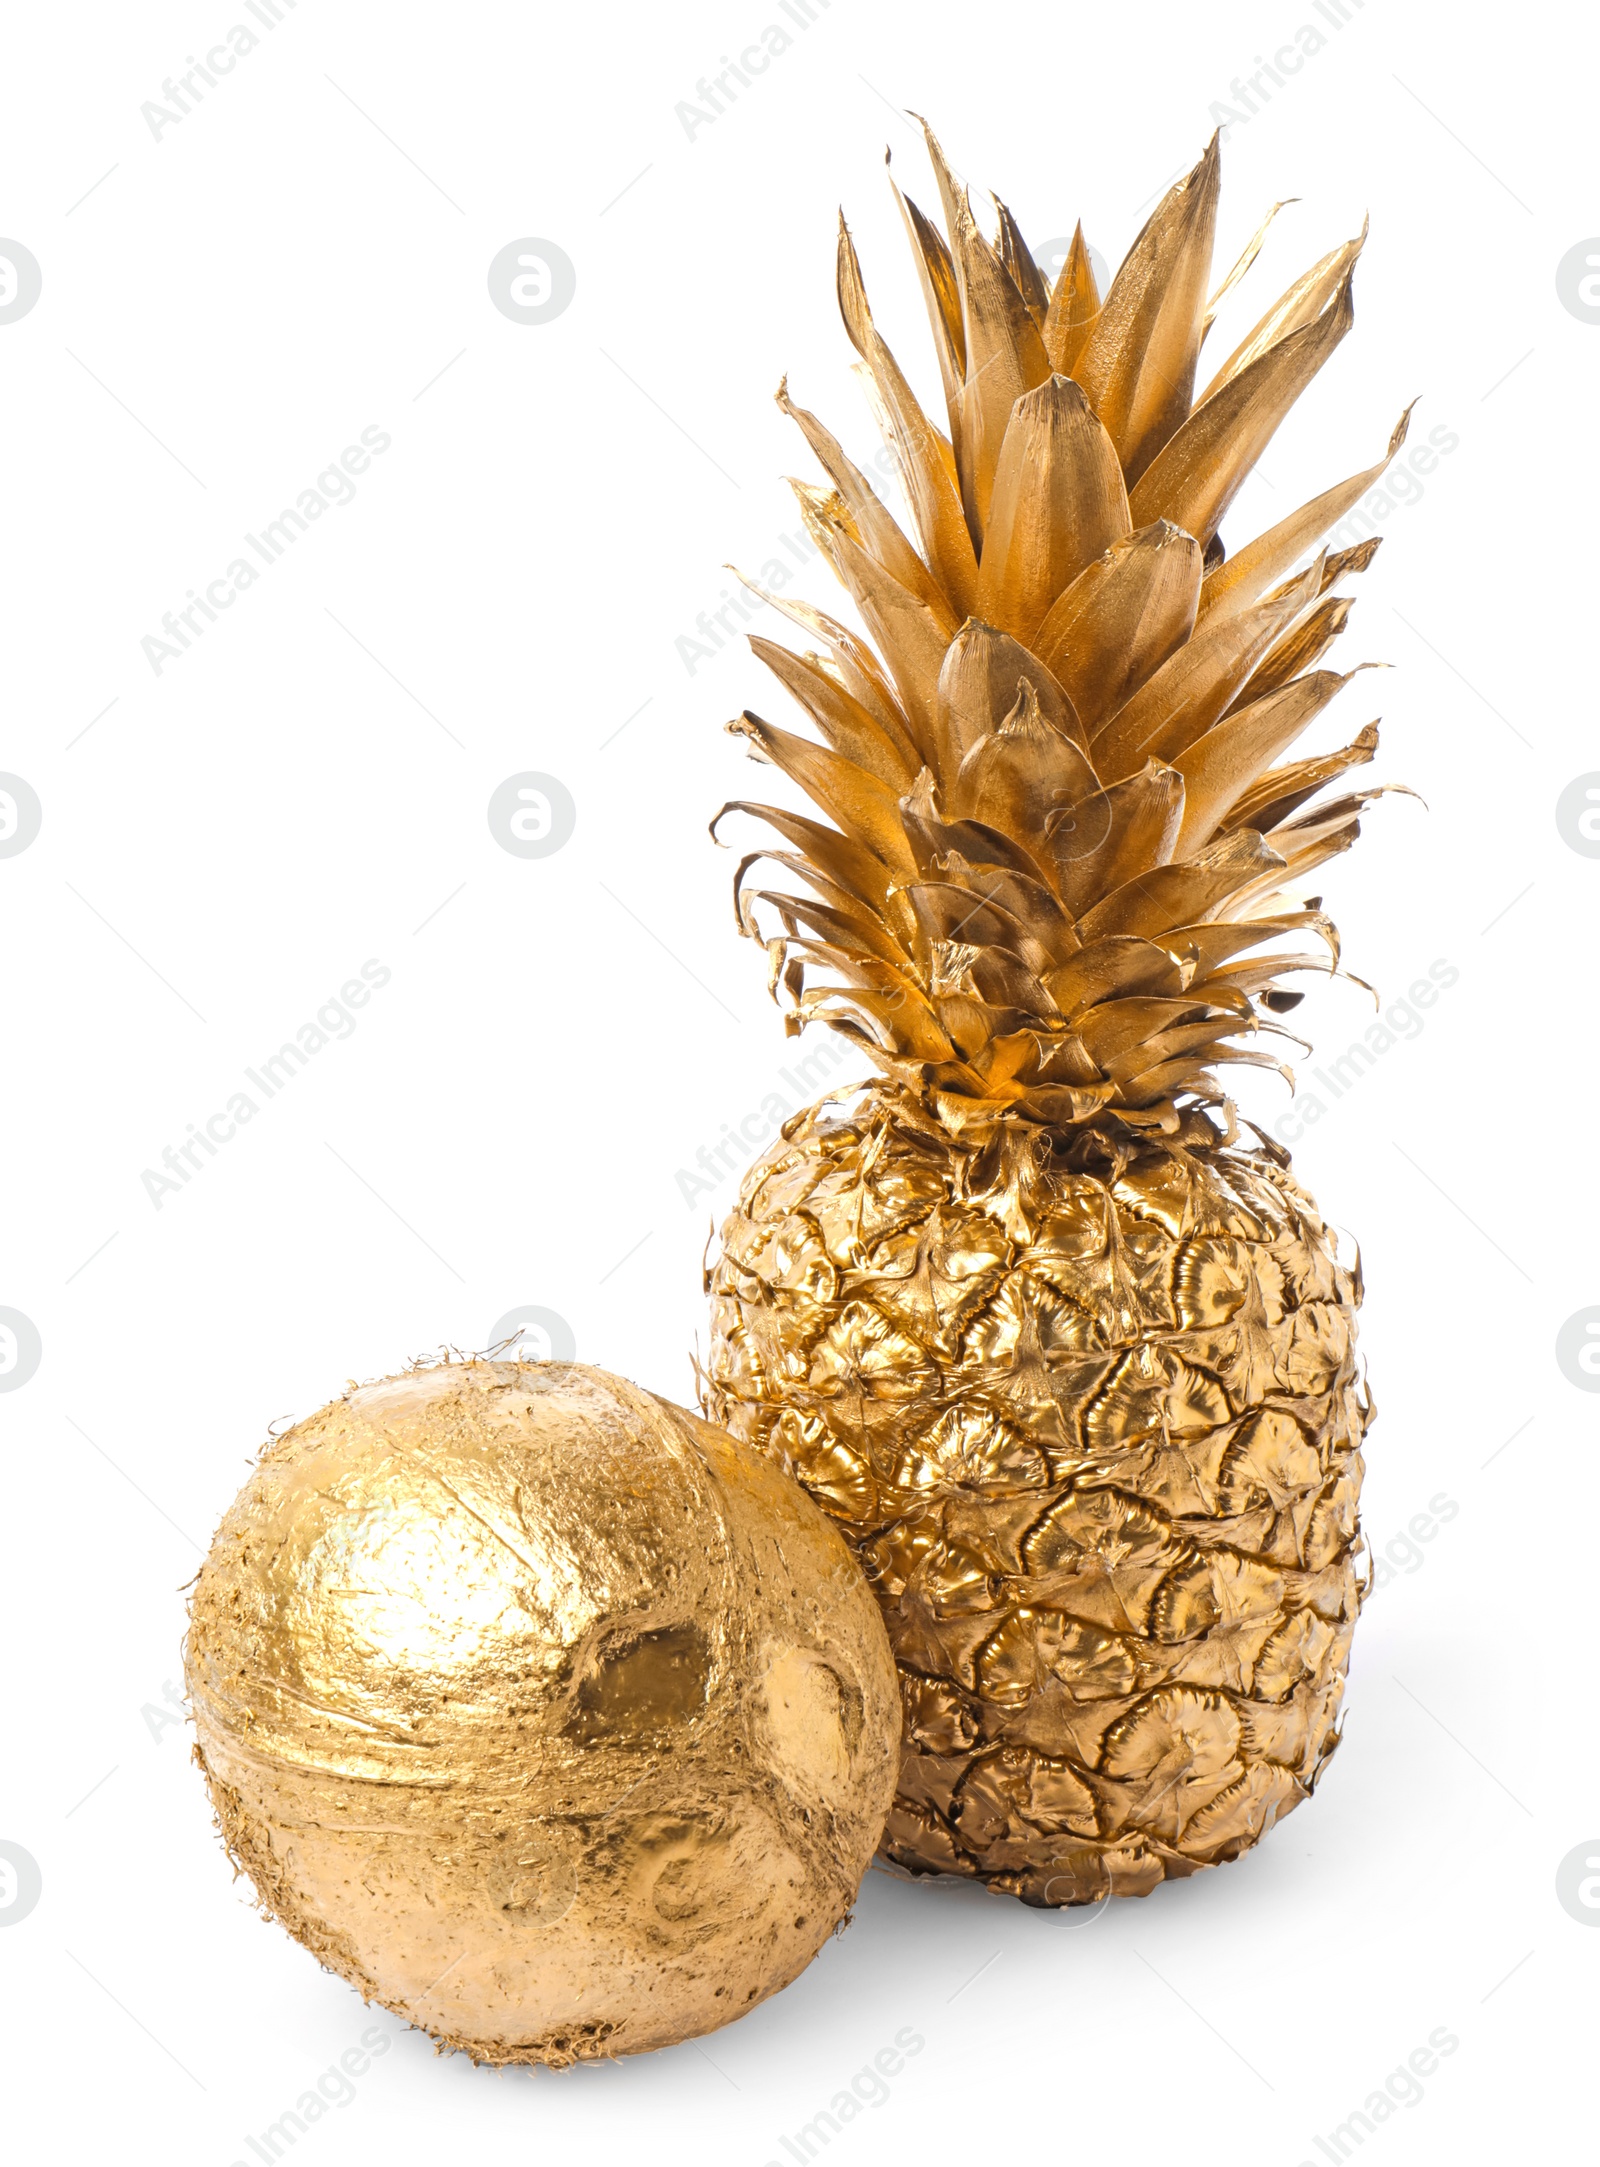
229, 842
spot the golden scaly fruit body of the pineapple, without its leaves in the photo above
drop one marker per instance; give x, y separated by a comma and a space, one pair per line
1092, 1420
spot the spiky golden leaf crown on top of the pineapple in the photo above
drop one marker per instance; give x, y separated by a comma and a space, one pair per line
1057, 840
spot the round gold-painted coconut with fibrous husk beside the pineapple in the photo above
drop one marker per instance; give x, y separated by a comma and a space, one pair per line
541, 1711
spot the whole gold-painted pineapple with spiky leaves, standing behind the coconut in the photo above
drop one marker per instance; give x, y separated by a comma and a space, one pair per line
1063, 1353
